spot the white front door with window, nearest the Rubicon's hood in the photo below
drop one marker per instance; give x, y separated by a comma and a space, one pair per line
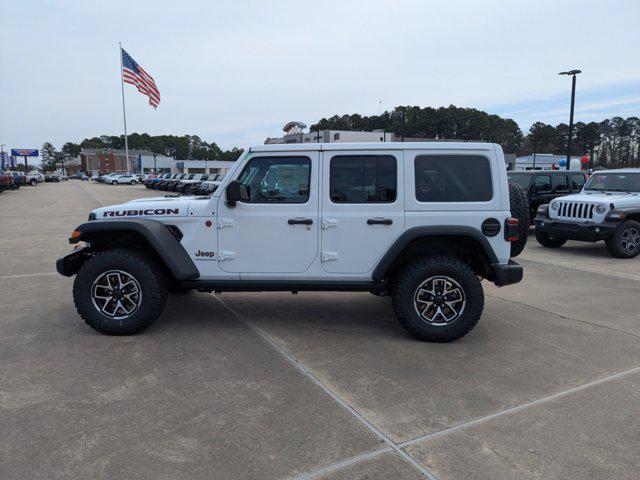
274, 228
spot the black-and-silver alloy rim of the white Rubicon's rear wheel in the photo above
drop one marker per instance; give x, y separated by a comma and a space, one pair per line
439, 300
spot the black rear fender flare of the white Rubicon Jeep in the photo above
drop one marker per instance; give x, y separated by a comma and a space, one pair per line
412, 234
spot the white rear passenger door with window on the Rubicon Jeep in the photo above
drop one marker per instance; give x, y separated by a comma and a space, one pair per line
362, 208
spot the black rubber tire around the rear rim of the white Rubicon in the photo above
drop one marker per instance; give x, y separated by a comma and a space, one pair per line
418, 271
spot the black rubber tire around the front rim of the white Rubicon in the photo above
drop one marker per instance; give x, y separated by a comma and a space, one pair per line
137, 264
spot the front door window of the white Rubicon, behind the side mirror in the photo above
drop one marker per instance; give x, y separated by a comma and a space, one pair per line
276, 180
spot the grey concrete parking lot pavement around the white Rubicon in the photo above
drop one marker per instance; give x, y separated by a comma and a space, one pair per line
316, 385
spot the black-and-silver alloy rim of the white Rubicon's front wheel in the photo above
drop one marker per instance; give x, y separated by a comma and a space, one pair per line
116, 294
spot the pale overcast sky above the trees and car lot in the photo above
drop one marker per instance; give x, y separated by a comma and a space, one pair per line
235, 72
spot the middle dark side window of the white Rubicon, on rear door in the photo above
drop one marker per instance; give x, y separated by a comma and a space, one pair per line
363, 179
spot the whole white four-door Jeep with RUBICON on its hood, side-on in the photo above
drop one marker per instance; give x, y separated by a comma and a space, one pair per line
421, 222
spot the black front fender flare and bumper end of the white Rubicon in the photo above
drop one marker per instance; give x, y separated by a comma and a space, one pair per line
159, 237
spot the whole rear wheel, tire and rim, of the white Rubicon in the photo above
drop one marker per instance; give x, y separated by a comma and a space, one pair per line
438, 298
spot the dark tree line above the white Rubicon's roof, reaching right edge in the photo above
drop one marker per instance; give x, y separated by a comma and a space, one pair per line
610, 143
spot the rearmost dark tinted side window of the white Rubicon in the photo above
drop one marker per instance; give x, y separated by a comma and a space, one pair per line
453, 178
